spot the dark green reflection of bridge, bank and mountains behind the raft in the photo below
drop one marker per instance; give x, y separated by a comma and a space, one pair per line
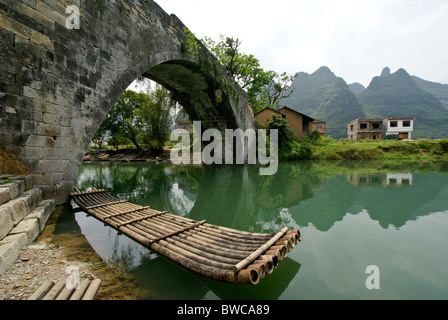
238, 197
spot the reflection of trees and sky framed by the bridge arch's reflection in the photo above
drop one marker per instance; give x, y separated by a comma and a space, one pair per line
160, 185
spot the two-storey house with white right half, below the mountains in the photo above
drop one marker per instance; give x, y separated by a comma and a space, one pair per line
380, 129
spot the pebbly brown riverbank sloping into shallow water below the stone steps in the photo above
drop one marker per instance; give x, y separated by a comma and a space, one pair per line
48, 257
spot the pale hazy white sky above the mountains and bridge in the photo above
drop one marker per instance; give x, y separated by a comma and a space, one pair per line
356, 39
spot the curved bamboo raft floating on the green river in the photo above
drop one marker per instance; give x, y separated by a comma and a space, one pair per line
216, 252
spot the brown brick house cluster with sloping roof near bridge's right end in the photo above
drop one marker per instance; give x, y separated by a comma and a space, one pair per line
302, 125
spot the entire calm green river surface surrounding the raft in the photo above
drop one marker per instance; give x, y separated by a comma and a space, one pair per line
345, 212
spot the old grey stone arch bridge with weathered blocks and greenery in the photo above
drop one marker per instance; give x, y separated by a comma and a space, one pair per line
57, 83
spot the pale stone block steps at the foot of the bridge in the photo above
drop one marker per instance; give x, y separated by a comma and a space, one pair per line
23, 215
